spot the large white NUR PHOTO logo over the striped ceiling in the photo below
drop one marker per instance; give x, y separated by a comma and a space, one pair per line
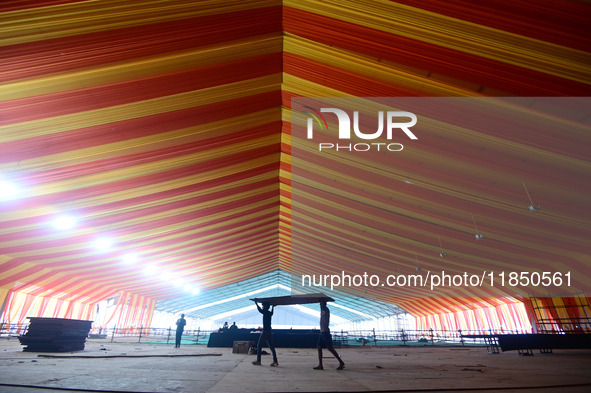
395, 121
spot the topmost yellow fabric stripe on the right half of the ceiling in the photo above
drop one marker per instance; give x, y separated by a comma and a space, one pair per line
452, 33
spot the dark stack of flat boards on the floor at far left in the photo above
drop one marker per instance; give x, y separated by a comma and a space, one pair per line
55, 335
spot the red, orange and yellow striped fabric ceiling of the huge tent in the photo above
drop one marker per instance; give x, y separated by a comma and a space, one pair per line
169, 133
